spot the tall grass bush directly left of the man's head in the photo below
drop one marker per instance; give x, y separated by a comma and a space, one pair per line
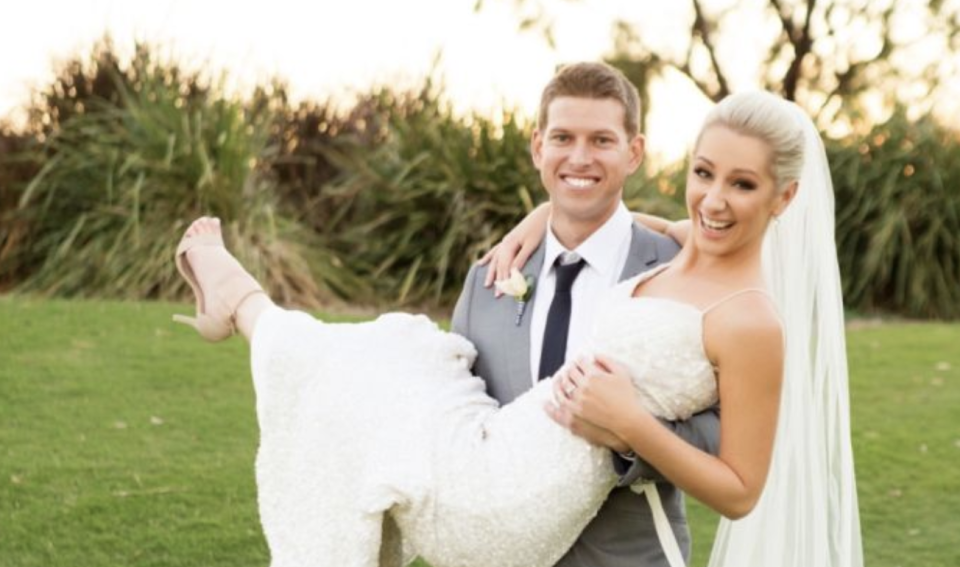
408, 213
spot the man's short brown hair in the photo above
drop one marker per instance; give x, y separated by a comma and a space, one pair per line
595, 81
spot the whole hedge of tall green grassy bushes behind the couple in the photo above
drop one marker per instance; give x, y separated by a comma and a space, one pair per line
385, 203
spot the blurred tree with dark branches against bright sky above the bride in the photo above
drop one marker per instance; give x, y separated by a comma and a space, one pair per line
816, 52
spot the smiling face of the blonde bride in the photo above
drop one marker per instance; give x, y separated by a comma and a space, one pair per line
731, 192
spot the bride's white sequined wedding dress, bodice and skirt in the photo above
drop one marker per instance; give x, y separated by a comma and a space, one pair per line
376, 433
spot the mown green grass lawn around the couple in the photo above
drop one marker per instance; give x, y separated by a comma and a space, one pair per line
126, 441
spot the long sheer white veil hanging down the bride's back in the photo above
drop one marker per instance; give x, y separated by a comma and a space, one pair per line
807, 515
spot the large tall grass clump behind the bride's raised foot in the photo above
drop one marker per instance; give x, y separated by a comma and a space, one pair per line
121, 174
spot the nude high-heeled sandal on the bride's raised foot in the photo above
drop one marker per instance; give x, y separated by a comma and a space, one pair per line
216, 313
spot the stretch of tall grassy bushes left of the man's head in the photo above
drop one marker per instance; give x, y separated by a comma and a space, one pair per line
386, 202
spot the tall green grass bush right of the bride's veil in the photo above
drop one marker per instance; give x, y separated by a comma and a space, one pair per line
898, 217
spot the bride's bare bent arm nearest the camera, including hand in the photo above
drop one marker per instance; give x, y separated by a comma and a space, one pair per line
749, 352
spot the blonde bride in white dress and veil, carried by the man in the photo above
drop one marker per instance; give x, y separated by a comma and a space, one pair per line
377, 444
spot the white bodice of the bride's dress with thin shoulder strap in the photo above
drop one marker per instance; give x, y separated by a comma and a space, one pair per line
660, 341
